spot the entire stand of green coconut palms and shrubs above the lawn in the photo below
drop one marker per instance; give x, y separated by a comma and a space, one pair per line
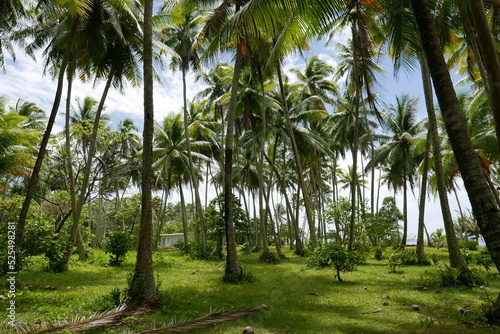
292, 159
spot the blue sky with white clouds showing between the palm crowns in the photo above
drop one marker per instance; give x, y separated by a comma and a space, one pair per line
24, 79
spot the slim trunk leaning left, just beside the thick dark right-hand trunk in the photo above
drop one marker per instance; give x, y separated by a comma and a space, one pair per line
456, 258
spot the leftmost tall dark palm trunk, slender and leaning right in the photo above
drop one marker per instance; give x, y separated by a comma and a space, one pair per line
21, 224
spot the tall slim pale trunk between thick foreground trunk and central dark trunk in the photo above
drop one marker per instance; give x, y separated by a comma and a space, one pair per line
194, 179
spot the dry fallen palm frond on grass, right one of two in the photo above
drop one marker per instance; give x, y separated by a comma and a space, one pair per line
210, 319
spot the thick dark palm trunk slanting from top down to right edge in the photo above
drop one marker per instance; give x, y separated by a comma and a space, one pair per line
481, 198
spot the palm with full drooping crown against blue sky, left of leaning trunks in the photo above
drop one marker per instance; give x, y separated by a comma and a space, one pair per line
398, 153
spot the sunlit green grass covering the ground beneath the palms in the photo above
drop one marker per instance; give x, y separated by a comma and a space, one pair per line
191, 289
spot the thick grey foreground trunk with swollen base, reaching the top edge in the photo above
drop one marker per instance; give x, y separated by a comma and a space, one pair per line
142, 287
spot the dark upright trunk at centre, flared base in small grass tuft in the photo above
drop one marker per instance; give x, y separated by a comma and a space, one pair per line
234, 272
